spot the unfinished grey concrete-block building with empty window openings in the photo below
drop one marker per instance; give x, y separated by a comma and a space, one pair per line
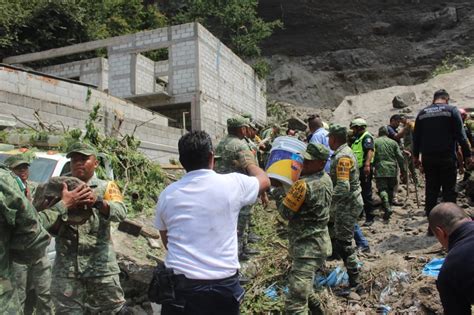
198, 84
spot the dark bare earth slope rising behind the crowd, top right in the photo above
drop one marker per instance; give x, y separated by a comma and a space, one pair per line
330, 49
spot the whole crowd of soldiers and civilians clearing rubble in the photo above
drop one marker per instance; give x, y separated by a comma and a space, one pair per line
205, 218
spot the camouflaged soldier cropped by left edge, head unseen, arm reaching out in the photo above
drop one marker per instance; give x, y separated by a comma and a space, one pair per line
23, 238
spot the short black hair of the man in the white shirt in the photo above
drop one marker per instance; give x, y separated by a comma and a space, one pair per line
194, 149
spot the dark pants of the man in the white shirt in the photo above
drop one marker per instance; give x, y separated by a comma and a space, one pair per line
206, 297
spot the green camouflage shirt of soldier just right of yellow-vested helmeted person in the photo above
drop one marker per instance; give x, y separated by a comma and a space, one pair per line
387, 157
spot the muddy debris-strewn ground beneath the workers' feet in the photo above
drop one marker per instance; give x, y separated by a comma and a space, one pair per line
391, 272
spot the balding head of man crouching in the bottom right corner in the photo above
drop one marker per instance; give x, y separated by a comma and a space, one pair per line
448, 216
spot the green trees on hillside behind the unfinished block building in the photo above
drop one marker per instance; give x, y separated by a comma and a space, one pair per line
35, 25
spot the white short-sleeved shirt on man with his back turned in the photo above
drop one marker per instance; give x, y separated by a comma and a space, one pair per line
199, 213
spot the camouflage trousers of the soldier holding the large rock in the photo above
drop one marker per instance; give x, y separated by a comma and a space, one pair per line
98, 295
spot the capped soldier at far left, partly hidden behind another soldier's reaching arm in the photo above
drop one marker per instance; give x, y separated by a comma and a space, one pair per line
32, 280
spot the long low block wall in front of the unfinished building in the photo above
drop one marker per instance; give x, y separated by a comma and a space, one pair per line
64, 103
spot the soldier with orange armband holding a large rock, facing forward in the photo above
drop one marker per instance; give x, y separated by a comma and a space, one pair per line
85, 272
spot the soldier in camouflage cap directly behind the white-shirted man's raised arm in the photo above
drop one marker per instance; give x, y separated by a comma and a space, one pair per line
234, 155
